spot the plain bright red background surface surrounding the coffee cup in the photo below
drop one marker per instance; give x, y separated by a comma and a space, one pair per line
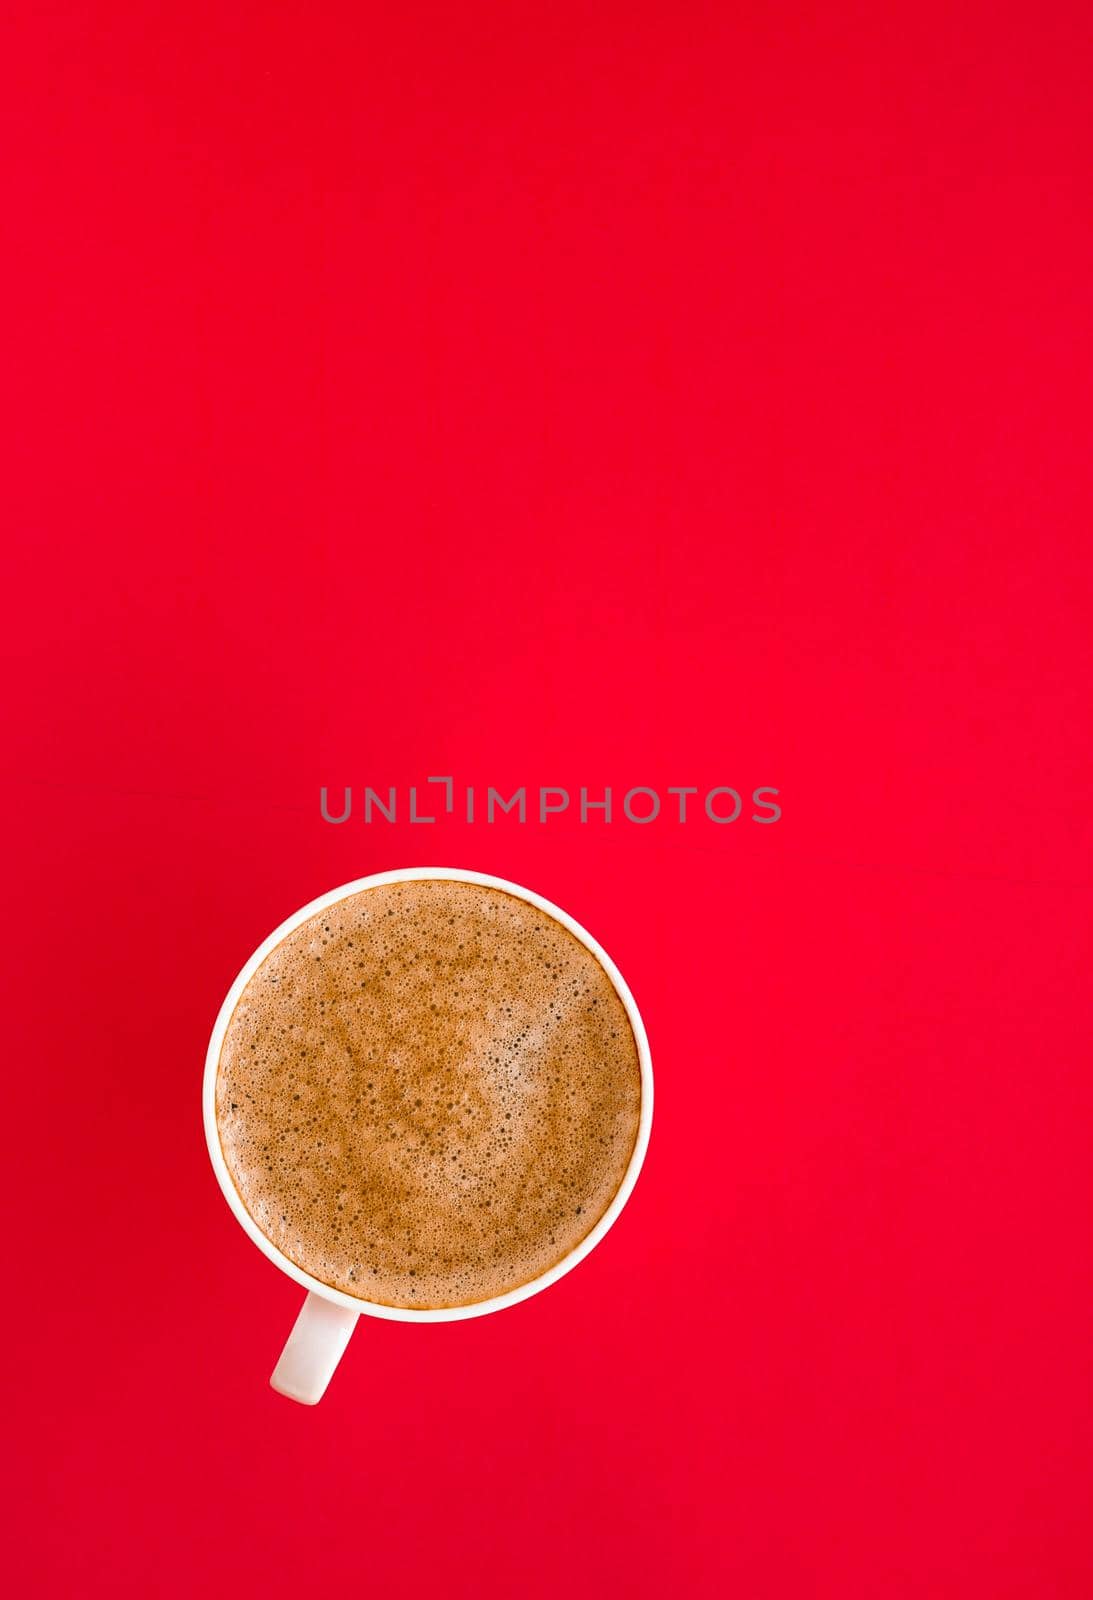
646, 394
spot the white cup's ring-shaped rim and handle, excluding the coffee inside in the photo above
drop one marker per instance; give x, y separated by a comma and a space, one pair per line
330, 1316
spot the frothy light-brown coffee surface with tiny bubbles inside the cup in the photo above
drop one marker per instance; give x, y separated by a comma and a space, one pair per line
428, 1094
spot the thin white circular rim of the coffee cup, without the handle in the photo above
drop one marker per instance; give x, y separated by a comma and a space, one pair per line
446, 1313
